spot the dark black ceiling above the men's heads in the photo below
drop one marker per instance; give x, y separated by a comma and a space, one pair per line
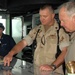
26, 6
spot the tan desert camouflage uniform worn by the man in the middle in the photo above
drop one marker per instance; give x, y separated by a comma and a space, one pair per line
46, 45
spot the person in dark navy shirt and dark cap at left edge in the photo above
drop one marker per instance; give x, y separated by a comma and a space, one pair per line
6, 43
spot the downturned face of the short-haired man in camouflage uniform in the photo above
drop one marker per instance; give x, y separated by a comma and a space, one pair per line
46, 17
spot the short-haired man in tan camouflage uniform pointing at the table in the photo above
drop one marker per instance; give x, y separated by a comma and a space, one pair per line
44, 55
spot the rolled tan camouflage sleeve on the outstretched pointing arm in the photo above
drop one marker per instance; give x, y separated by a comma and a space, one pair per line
31, 36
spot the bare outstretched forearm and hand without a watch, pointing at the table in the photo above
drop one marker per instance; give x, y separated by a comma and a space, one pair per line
17, 48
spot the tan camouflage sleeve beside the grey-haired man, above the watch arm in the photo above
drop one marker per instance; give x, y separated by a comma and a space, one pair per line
63, 39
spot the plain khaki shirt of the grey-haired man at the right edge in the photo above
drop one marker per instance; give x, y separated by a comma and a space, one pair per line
70, 56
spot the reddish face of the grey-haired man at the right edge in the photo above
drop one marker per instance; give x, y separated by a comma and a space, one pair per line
66, 20
